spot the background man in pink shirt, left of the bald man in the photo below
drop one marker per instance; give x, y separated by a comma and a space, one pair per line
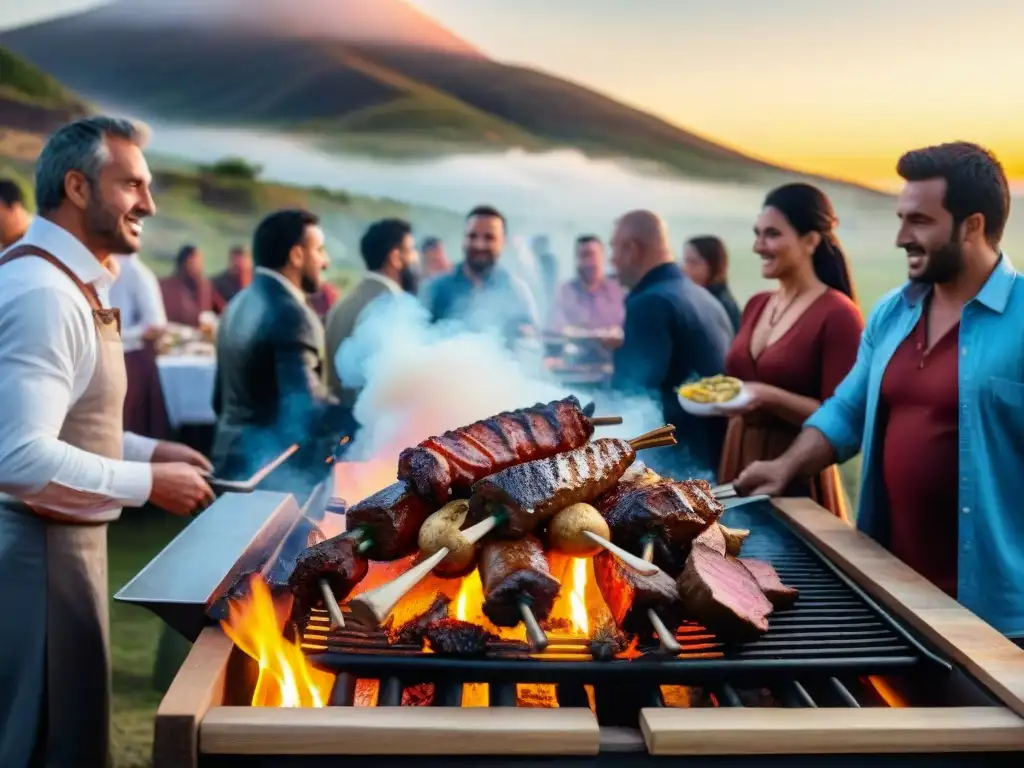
591, 301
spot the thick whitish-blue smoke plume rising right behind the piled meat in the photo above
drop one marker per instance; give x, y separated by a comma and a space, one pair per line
420, 379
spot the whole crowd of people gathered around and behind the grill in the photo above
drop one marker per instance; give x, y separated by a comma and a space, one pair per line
930, 391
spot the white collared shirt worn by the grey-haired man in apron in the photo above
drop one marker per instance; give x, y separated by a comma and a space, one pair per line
48, 358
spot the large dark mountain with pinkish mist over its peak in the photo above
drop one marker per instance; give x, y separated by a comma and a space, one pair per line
376, 72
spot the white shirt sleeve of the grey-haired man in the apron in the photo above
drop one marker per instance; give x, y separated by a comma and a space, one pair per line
45, 338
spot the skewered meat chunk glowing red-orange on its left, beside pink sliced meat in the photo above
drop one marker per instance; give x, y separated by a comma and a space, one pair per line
629, 595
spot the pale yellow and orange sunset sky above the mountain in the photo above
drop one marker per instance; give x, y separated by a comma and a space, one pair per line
840, 88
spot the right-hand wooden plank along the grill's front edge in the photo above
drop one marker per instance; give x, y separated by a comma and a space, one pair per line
831, 732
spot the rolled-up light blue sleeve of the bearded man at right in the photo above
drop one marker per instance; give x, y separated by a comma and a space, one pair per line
841, 418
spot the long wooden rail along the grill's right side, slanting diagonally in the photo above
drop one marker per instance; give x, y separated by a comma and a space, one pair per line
977, 647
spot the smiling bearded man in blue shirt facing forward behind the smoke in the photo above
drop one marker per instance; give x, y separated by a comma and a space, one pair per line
480, 292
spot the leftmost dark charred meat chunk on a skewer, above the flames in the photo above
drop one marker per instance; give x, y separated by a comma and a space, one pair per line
335, 561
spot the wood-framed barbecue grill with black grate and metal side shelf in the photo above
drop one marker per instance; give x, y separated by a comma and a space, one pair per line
872, 663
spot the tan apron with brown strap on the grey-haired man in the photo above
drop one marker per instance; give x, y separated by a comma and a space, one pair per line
55, 651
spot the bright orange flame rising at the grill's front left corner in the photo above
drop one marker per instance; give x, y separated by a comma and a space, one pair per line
285, 678
